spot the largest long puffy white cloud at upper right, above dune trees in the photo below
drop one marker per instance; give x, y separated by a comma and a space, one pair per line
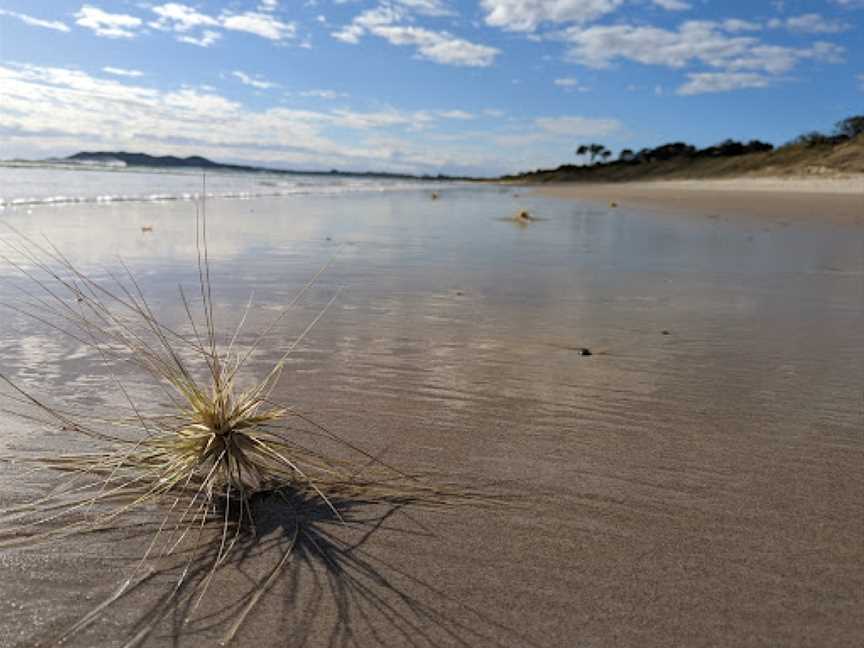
694, 42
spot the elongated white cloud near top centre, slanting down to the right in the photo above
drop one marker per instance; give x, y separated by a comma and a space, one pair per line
439, 47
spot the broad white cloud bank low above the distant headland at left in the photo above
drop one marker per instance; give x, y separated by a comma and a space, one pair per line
55, 109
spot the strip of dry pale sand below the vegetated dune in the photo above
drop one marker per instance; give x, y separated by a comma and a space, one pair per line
837, 200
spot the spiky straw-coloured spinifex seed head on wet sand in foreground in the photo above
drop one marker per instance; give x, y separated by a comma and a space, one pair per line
199, 462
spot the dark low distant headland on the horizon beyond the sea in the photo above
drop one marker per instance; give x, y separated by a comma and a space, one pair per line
197, 162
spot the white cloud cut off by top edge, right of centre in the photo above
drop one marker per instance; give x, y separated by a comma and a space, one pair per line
527, 15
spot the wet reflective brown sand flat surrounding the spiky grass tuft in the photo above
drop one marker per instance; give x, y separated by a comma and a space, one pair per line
697, 481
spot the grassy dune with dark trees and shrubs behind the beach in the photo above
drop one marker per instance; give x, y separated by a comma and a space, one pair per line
813, 153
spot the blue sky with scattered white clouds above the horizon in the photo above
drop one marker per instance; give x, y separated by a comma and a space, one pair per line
478, 87
